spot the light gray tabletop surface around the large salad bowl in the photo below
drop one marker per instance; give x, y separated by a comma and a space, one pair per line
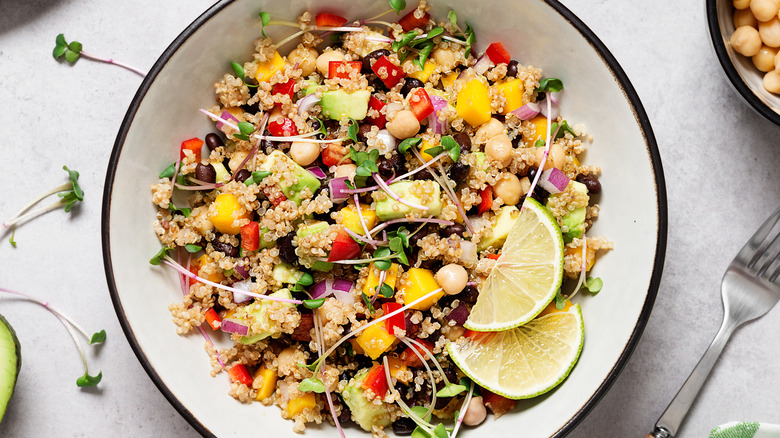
720, 160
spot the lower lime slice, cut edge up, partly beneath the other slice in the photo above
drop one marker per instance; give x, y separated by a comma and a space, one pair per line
526, 361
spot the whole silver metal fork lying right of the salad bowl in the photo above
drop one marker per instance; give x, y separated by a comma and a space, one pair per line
749, 289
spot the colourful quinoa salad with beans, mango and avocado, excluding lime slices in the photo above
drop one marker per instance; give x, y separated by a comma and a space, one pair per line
340, 220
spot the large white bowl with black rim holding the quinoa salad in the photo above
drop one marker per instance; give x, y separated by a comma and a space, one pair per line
541, 33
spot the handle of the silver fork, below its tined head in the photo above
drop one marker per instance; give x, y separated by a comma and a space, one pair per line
670, 421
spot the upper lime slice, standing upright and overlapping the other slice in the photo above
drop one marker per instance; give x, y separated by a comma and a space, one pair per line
527, 275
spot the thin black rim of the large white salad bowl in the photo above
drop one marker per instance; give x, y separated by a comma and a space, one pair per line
639, 113
